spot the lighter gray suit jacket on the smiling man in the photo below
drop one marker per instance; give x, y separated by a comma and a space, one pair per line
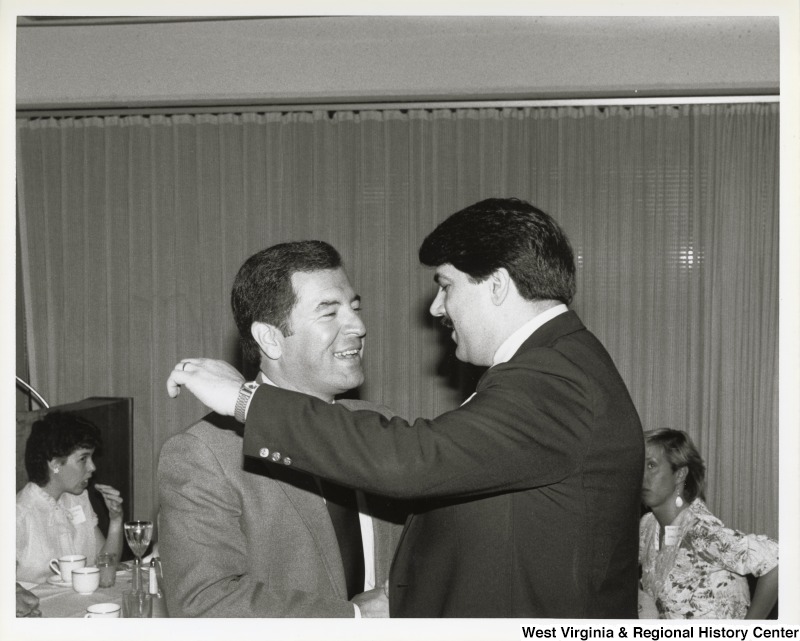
241, 540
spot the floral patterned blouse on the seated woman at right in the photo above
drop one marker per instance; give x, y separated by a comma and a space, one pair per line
702, 577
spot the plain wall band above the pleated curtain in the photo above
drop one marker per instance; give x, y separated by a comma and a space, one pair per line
326, 59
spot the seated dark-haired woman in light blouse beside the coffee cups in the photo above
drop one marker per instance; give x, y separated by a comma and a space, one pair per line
54, 515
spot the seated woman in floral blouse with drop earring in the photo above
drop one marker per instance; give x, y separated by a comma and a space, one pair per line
694, 567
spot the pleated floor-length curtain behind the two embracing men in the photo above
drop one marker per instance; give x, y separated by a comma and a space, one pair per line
132, 228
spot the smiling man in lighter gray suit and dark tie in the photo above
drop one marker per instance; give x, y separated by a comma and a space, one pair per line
239, 540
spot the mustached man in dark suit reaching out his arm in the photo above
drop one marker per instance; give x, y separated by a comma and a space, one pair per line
527, 496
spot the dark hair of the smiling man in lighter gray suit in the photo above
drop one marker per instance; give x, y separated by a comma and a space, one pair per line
262, 290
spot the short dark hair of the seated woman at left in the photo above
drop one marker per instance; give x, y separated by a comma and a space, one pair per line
57, 435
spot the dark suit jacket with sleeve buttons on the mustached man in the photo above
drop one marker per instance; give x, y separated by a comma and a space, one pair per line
527, 496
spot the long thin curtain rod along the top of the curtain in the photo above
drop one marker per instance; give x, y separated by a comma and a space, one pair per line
383, 106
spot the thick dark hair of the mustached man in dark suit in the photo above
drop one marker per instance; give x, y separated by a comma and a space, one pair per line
510, 233
